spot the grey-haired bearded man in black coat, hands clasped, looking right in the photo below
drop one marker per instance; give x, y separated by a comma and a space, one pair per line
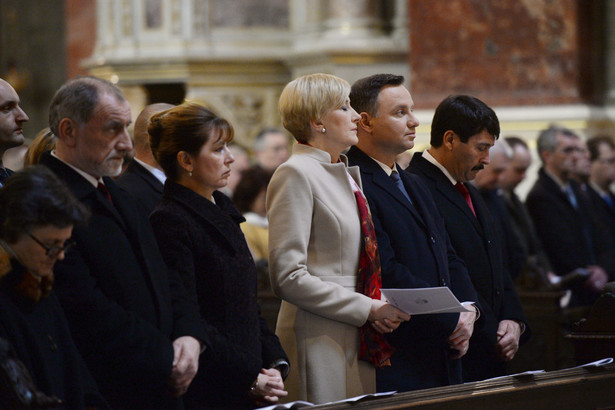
132, 320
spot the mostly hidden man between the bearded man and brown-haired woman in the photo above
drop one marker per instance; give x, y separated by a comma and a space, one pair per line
144, 178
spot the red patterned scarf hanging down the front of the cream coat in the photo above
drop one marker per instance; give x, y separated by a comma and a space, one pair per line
374, 347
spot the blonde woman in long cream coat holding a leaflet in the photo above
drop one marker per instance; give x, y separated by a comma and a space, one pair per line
314, 243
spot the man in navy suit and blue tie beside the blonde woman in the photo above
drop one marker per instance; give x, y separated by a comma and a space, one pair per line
414, 248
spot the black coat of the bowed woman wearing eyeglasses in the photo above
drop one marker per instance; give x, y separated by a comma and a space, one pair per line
40, 337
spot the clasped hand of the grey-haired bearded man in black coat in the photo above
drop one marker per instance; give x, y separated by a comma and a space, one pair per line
185, 364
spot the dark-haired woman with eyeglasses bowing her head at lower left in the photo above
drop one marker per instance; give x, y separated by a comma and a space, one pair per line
37, 214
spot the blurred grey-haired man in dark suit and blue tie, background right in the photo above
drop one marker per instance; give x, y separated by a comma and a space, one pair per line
561, 214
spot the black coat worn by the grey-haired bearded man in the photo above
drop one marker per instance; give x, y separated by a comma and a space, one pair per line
123, 306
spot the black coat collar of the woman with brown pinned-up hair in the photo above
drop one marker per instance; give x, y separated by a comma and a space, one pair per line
215, 215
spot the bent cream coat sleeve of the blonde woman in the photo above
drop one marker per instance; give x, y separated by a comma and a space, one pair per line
290, 206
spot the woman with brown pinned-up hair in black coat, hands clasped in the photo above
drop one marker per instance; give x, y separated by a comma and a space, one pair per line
198, 233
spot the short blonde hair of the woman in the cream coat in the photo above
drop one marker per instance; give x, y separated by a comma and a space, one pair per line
308, 98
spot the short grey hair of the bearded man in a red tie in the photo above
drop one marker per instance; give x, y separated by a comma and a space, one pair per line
78, 98
